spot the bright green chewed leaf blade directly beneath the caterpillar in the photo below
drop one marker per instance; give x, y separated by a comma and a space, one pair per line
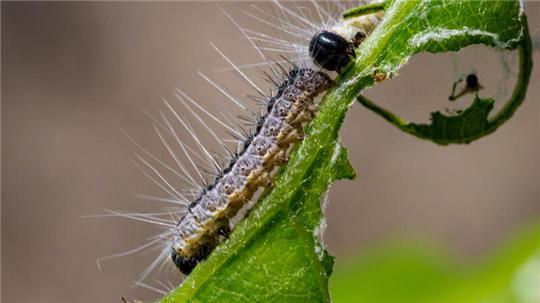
274, 255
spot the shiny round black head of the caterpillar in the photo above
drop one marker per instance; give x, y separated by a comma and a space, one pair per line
330, 50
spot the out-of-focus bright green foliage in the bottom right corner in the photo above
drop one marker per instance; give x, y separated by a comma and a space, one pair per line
419, 271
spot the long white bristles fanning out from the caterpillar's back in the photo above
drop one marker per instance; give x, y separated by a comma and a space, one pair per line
191, 162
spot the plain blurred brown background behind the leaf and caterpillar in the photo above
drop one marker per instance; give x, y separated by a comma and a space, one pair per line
74, 74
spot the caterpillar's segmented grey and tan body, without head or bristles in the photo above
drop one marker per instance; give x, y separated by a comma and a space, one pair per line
207, 218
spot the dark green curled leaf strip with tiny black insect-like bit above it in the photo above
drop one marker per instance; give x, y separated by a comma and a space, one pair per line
464, 125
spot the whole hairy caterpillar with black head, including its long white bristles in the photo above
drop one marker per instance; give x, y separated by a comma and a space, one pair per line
203, 218
